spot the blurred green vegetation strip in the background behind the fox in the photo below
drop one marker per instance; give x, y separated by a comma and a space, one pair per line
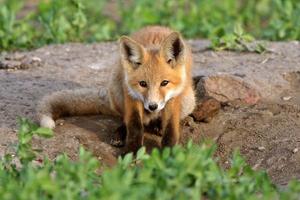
56, 21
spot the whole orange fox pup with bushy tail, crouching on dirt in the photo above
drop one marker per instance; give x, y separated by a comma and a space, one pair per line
153, 81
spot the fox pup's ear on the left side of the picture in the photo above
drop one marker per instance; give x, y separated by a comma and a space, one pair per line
131, 51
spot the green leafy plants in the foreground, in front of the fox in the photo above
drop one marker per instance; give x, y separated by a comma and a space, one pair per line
189, 172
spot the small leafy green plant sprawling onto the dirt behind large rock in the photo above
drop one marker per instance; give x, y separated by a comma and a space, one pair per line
237, 41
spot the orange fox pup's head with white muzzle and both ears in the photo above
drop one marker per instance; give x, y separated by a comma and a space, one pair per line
154, 75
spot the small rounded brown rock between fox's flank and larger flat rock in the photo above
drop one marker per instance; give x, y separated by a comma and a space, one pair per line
206, 109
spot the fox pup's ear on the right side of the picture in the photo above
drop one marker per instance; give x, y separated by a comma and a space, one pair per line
173, 48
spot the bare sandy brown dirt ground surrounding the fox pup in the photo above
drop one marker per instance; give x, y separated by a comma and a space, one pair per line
267, 133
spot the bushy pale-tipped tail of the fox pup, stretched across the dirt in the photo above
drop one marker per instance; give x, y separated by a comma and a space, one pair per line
72, 102
